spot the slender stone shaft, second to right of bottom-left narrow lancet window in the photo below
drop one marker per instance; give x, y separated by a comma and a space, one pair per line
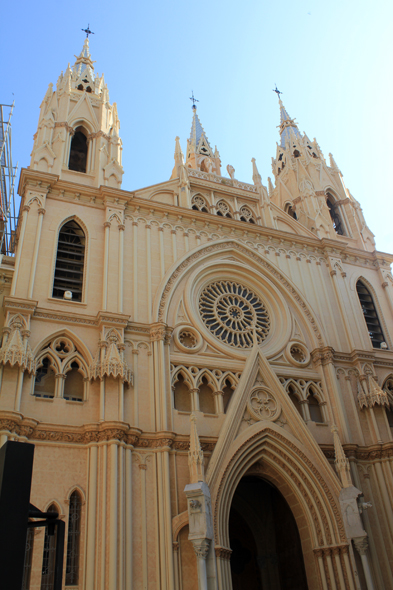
113, 541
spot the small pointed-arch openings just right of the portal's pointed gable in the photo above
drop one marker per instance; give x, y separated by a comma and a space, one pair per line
308, 399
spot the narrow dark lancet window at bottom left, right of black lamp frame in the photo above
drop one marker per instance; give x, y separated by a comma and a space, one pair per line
73, 540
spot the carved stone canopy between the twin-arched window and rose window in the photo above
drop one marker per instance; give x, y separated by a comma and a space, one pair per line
109, 360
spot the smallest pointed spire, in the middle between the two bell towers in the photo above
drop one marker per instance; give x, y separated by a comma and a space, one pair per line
200, 155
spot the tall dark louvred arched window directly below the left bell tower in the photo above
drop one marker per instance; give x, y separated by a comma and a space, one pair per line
70, 261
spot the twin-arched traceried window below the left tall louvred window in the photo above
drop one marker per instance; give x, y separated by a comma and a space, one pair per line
61, 372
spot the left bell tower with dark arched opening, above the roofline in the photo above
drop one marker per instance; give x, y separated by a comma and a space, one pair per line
78, 129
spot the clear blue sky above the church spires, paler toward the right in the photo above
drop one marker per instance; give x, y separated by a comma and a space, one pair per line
332, 61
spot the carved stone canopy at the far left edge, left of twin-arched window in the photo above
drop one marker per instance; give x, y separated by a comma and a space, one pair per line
15, 348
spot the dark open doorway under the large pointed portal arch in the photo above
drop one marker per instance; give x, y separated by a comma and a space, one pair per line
264, 538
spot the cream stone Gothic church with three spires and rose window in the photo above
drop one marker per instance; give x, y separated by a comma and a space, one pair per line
205, 366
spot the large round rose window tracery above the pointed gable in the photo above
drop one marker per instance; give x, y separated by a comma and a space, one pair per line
231, 312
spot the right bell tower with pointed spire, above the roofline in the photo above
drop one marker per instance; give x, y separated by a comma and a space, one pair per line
312, 191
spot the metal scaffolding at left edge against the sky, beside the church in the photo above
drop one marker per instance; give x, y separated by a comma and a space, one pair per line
8, 208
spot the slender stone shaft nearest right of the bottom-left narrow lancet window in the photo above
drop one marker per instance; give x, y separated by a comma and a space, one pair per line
91, 519
